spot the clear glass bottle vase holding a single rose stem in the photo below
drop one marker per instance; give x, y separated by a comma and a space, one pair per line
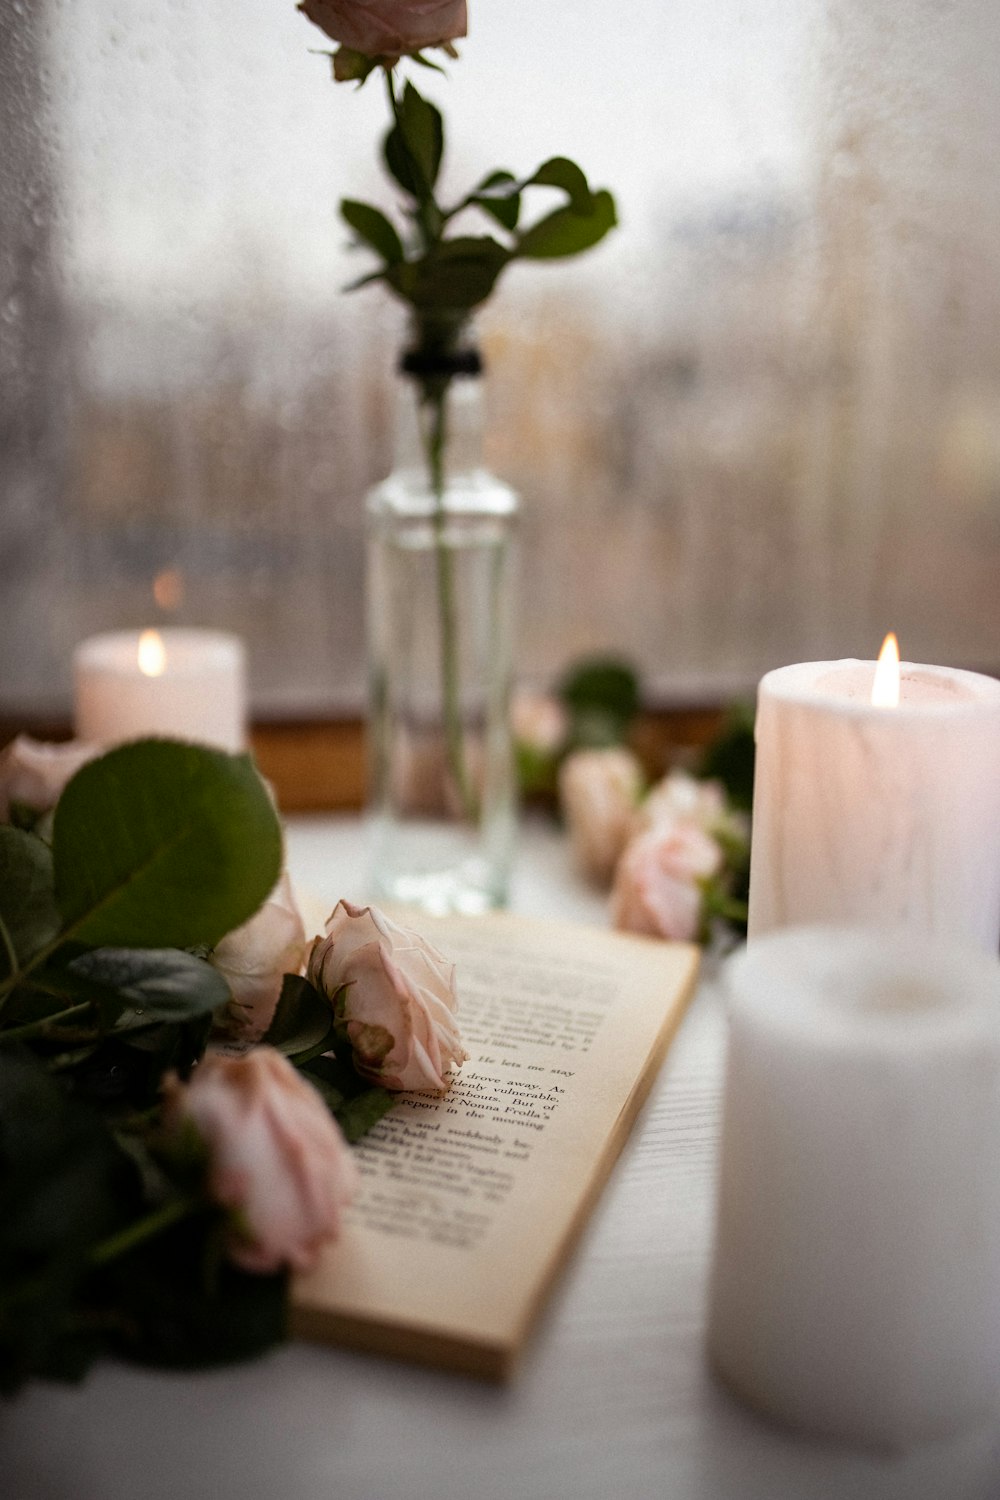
440, 623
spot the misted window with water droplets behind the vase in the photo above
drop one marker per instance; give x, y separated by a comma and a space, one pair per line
761, 424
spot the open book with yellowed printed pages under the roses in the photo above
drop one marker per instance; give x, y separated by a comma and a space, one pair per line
470, 1204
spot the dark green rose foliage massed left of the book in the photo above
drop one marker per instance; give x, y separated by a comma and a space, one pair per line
145, 859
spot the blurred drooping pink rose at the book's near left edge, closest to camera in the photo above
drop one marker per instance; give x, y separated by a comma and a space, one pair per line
277, 1157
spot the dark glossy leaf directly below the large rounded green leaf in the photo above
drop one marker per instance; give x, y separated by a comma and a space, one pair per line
151, 985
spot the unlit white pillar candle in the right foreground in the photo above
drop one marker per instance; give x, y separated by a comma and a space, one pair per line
857, 1277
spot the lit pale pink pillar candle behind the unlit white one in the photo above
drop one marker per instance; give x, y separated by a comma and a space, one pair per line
878, 815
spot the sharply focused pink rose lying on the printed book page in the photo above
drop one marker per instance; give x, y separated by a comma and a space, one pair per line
400, 1004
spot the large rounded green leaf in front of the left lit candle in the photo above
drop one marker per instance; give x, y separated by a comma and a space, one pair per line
164, 845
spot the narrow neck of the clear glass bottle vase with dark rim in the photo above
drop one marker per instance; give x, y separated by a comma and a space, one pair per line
440, 407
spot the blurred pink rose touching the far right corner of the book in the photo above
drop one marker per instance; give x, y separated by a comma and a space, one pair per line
657, 881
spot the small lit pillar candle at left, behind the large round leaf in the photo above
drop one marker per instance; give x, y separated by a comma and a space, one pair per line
185, 685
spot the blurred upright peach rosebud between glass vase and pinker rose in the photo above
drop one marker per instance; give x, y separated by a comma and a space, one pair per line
599, 791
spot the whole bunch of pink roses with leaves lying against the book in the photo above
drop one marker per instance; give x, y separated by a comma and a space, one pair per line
160, 1195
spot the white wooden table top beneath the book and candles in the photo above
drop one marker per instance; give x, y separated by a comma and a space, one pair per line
614, 1399
